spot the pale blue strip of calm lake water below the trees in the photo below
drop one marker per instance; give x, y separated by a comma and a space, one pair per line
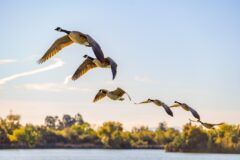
100, 154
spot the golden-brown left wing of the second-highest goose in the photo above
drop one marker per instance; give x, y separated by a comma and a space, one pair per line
83, 68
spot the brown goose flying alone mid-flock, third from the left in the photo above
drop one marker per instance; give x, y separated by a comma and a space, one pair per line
114, 95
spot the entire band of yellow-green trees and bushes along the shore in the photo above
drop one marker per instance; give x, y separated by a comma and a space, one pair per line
74, 133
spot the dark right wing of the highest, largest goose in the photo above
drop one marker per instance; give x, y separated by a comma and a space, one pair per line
96, 48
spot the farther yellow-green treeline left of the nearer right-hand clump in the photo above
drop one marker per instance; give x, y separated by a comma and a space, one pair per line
72, 131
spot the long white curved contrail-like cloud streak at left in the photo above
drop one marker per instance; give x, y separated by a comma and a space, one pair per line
58, 63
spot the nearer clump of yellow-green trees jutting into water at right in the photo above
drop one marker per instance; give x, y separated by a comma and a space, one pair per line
224, 139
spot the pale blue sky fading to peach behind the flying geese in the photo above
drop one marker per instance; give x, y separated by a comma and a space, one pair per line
171, 50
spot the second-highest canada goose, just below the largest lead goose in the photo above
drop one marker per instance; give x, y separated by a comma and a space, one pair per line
91, 63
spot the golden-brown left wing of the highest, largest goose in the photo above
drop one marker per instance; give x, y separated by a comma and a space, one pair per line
56, 47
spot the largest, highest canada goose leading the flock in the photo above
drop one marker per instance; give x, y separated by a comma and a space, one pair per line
72, 37
